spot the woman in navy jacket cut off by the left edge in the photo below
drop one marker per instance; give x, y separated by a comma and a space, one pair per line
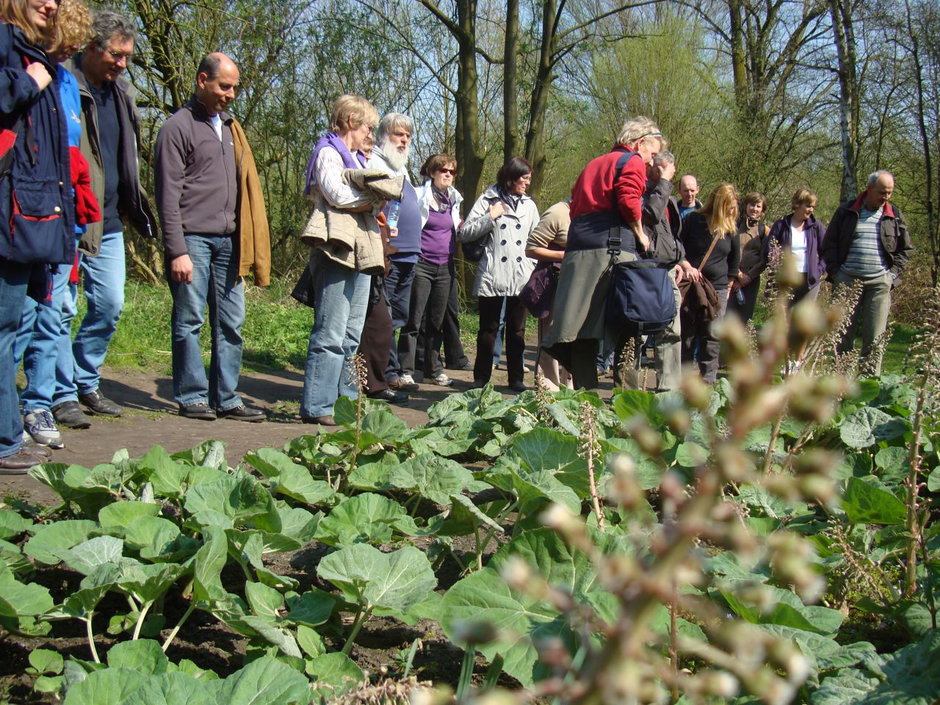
34, 168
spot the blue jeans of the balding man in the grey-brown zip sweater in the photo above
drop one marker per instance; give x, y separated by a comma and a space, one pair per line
216, 283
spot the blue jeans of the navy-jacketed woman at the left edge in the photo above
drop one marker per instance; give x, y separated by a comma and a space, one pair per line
14, 278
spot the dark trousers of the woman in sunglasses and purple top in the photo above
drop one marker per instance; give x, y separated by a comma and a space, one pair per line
429, 292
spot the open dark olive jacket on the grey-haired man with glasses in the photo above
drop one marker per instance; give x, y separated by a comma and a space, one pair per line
133, 204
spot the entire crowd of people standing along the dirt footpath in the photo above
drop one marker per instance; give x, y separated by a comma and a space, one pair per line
381, 276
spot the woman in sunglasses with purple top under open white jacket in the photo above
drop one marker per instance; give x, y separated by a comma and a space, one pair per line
440, 219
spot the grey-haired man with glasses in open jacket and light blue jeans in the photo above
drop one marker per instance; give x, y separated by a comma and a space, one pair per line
110, 142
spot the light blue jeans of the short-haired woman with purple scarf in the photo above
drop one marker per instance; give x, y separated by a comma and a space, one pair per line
340, 303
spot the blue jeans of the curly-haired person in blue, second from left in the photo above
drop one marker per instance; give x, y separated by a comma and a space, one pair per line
41, 340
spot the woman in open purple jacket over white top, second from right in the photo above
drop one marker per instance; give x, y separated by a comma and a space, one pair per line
800, 234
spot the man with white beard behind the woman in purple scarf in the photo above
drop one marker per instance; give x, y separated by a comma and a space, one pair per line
393, 139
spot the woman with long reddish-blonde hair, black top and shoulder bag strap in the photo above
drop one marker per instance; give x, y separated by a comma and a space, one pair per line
712, 251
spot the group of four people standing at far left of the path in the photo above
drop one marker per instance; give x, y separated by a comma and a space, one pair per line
69, 184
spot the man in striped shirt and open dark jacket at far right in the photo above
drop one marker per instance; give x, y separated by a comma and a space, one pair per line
868, 242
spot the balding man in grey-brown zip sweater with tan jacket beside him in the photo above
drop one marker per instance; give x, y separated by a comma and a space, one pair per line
214, 231
